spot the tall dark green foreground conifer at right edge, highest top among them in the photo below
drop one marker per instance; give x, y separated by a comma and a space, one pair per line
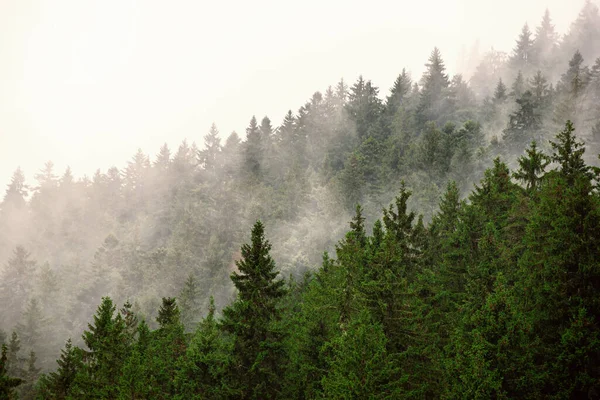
559, 278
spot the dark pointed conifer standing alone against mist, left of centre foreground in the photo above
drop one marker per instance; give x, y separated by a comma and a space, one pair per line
257, 352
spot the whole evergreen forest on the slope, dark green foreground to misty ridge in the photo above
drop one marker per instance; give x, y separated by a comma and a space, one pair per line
442, 241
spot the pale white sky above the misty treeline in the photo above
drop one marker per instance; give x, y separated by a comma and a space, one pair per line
85, 83
